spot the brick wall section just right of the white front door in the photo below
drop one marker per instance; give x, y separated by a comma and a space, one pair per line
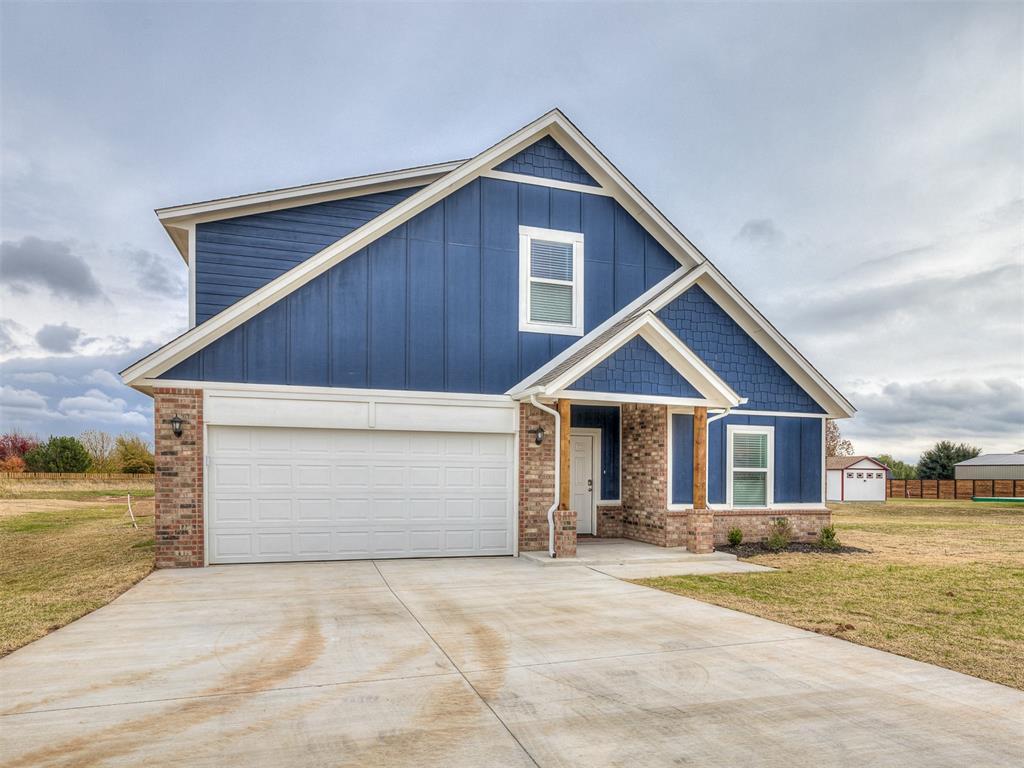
646, 474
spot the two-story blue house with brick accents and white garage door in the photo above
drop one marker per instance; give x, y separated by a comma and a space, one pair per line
476, 358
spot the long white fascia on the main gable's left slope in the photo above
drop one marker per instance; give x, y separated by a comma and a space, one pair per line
179, 350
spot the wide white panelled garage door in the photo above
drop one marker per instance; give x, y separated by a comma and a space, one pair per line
278, 494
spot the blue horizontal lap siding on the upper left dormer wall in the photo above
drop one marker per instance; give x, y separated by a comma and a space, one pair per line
234, 258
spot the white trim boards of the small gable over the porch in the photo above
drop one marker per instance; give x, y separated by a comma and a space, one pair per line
714, 392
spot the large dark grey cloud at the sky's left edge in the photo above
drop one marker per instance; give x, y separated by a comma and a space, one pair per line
32, 263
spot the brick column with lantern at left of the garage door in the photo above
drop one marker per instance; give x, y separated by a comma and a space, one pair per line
179, 505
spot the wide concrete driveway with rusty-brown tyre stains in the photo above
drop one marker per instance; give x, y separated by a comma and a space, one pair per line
474, 663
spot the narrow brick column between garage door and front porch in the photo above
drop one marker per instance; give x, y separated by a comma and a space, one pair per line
537, 478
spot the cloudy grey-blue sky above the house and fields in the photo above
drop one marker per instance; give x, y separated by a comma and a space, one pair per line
857, 170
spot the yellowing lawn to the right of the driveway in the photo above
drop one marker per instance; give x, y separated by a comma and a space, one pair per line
941, 582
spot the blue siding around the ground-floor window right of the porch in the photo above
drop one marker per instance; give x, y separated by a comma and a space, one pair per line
798, 463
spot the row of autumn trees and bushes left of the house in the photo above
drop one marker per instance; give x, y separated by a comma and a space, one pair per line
91, 452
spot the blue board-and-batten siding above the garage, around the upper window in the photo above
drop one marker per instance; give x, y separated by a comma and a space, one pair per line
435, 306
